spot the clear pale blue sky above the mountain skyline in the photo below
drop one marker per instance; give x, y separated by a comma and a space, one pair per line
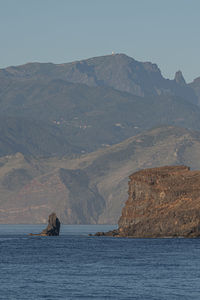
165, 32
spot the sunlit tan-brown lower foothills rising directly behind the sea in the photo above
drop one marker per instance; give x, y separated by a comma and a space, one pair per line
92, 188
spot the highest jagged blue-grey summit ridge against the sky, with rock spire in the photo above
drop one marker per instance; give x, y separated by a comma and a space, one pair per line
118, 71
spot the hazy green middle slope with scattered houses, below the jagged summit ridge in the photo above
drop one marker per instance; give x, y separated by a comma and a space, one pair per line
90, 117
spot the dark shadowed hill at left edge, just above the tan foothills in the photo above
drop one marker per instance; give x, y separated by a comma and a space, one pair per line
33, 138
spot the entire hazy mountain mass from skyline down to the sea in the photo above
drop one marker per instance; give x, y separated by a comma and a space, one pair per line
53, 114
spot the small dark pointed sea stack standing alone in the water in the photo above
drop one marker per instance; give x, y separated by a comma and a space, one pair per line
53, 227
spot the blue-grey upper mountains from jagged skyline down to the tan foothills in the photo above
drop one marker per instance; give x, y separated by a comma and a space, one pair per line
89, 104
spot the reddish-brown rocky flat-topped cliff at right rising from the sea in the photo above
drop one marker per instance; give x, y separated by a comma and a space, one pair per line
163, 202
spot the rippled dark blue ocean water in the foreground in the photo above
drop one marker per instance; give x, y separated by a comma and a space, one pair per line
76, 266
